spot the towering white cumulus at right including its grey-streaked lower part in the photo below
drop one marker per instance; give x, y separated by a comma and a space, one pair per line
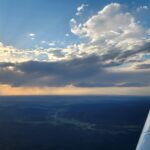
114, 34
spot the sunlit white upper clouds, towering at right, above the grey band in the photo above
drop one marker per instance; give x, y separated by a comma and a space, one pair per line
113, 34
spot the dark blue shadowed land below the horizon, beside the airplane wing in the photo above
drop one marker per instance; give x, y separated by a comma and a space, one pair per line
72, 122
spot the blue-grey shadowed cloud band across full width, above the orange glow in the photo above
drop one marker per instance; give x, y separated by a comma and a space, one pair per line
89, 71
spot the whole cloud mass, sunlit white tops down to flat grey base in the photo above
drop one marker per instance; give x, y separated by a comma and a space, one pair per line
114, 51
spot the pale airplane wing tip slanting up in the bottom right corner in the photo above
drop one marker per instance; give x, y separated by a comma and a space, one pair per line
144, 141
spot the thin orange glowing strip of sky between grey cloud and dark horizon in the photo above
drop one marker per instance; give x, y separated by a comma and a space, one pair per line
7, 90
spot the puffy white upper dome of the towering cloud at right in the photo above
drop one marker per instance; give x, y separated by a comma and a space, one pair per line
110, 27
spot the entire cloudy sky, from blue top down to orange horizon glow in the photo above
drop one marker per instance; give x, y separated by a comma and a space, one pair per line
67, 47
